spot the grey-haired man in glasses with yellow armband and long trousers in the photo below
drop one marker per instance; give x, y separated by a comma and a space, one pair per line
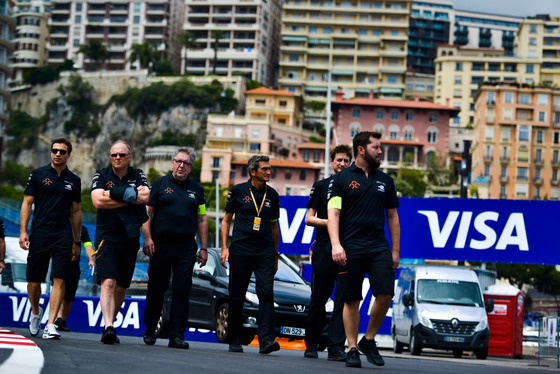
177, 209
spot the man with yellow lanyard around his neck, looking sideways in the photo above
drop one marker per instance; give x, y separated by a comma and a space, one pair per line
253, 248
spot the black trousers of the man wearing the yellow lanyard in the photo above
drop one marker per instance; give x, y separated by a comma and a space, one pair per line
241, 268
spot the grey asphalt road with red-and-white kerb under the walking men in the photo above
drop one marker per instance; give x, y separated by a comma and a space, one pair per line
84, 353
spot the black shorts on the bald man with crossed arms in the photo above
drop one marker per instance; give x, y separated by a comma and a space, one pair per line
116, 260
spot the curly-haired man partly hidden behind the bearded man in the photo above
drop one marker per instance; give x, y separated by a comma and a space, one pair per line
325, 270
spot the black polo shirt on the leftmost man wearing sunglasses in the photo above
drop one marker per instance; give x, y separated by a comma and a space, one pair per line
53, 198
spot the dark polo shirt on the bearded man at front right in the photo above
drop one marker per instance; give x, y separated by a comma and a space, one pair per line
364, 201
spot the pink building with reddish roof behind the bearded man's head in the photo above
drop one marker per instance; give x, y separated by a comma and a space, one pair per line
413, 131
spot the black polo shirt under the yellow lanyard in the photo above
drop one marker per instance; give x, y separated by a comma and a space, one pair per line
245, 240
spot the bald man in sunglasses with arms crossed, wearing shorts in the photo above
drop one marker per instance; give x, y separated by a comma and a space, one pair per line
119, 193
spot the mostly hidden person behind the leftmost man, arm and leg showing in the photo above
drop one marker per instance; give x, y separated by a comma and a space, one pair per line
71, 282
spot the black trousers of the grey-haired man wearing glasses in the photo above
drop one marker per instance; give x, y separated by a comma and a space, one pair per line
178, 258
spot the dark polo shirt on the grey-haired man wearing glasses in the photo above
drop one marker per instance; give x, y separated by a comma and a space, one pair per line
176, 207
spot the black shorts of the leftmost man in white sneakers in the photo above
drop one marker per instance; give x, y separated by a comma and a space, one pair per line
41, 251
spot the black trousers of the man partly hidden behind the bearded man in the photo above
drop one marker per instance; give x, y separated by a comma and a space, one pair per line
323, 280
